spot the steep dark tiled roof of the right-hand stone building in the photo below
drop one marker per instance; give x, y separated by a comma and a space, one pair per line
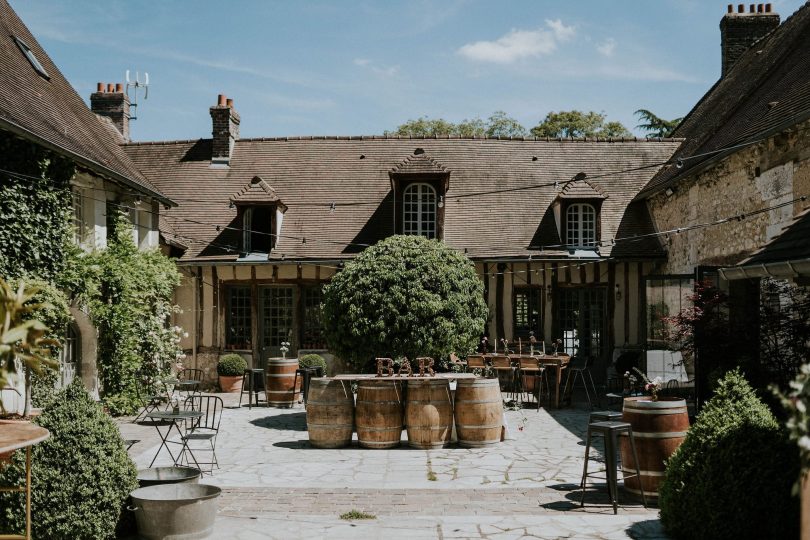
767, 90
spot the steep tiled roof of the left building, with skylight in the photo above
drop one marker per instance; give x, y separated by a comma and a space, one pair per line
48, 111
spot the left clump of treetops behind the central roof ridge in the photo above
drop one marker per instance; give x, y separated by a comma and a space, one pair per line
497, 125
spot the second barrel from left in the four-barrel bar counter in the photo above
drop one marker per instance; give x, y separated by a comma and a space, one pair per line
378, 415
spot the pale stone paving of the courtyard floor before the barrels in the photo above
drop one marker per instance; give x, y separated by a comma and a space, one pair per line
277, 486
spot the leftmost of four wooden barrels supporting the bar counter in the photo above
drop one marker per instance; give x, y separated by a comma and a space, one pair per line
330, 413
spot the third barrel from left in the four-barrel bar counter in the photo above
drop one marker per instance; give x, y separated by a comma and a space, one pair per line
429, 413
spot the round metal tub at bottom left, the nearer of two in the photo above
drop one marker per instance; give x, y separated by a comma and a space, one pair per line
175, 511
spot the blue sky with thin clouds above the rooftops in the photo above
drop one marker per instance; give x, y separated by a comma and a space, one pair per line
359, 67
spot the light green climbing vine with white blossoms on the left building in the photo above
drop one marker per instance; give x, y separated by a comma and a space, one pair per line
128, 293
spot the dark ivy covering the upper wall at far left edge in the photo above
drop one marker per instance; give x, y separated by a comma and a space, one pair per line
35, 209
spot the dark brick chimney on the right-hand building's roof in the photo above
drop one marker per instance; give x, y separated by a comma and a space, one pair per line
740, 29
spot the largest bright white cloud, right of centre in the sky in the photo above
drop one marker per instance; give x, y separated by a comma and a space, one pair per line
519, 44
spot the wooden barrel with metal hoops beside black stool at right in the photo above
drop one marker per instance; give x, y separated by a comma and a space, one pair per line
659, 428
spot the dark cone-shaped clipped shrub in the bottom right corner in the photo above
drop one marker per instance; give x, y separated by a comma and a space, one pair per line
732, 476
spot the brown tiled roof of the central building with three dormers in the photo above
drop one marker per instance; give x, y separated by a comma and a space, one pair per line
339, 198
